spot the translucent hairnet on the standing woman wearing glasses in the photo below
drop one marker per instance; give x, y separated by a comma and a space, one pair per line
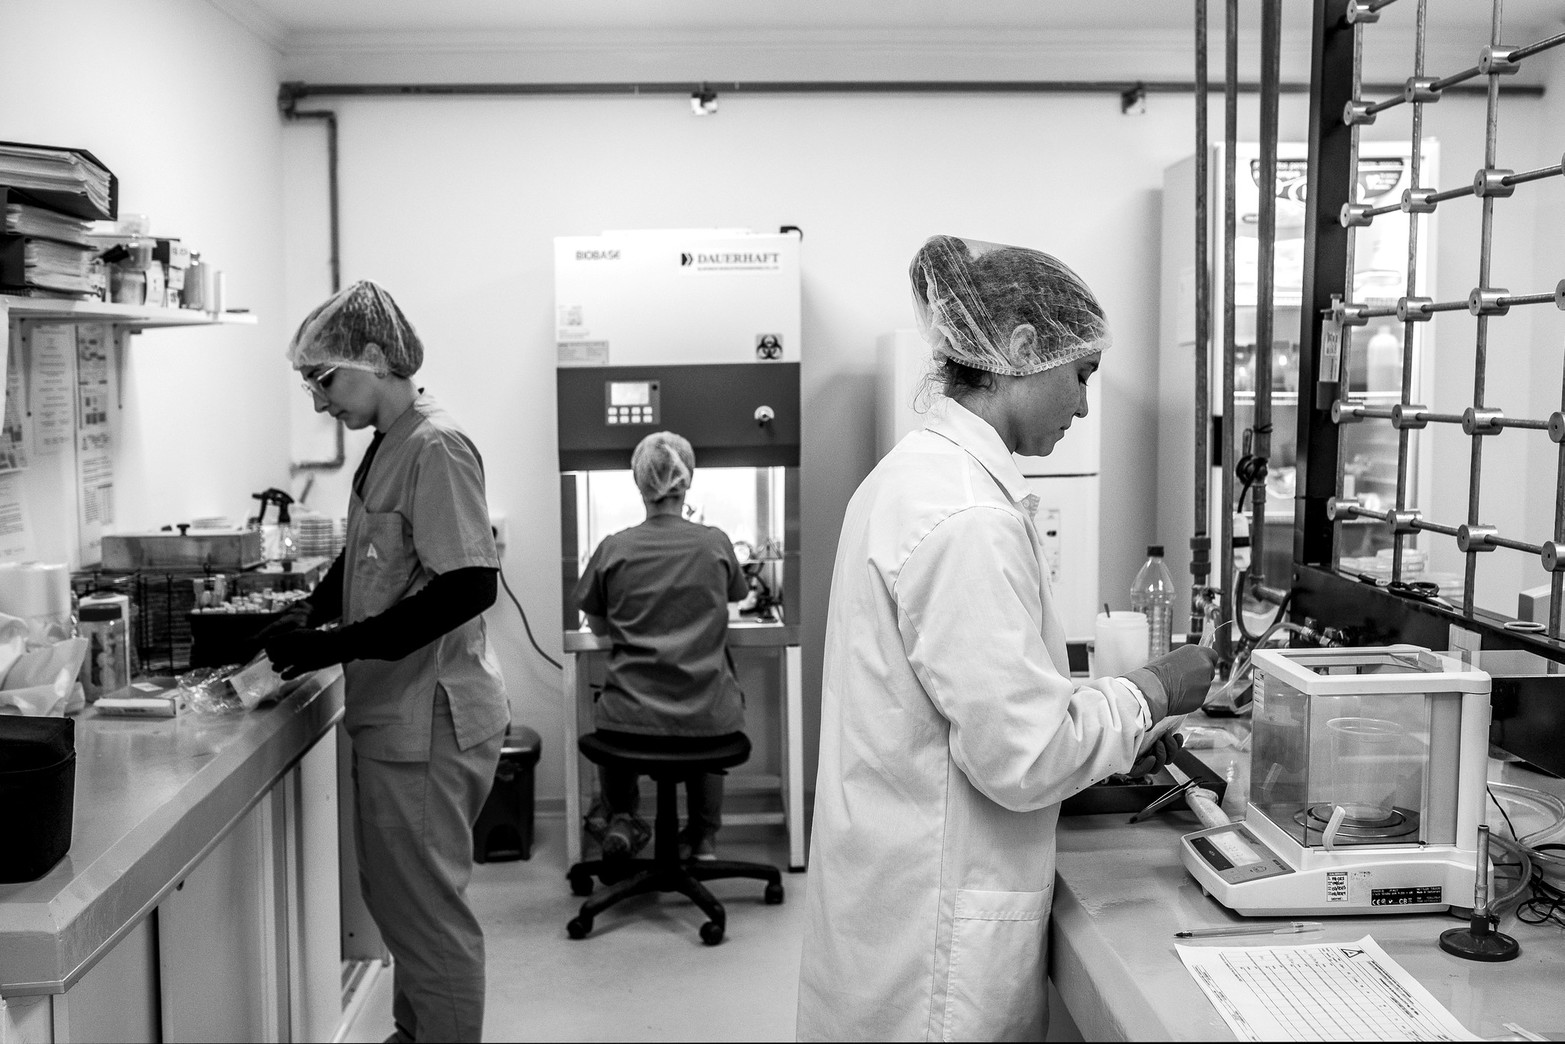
359, 328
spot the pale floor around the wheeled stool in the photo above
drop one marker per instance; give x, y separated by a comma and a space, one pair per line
644, 973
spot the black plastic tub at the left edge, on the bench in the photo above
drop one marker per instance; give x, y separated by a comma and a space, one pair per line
38, 791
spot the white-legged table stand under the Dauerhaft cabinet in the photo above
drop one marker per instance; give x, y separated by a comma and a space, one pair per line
775, 733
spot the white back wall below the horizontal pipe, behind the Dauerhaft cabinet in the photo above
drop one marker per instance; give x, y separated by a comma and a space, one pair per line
453, 204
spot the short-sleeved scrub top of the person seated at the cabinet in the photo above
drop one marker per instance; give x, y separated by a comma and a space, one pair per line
664, 588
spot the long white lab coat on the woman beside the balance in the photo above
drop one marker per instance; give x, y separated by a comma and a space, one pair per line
951, 733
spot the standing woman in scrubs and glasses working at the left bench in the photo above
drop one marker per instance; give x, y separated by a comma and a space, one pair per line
425, 704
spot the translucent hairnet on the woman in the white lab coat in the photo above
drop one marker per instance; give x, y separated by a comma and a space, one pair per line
971, 297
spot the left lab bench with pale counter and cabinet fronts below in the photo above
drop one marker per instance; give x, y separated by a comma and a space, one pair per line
201, 895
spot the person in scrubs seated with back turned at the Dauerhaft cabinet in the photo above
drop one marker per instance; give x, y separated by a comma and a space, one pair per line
660, 592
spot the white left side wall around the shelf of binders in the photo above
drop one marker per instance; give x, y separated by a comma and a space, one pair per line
178, 101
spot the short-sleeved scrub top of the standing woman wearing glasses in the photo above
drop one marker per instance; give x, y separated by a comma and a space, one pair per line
420, 513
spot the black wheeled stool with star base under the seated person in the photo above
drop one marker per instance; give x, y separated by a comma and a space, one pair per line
666, 871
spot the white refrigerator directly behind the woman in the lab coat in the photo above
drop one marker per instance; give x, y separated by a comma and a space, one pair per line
1065, 481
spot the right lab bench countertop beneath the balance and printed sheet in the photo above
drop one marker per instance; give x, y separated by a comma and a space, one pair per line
1123, 893
